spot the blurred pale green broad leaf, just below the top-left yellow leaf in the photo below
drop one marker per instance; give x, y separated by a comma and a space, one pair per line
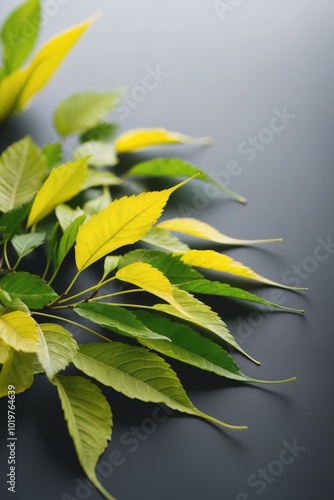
83, 111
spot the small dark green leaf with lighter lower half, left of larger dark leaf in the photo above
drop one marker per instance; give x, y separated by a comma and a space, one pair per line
115, 318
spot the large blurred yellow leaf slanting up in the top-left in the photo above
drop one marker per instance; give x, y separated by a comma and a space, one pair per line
18, 88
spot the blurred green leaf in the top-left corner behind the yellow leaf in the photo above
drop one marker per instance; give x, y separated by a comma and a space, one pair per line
19, 34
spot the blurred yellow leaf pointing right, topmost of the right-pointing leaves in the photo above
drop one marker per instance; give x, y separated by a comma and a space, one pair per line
142, 138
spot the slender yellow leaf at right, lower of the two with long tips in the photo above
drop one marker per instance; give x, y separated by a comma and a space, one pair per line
209, 259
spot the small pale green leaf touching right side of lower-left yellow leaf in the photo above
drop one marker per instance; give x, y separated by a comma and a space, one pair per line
57, 348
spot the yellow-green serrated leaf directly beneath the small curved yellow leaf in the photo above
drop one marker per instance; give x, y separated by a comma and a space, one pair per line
193, 310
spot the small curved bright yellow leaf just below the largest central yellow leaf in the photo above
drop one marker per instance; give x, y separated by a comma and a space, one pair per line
148, 278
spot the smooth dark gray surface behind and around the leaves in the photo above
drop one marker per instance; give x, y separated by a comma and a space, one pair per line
225, 78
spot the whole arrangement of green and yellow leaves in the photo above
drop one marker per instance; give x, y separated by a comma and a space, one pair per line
68, 214
